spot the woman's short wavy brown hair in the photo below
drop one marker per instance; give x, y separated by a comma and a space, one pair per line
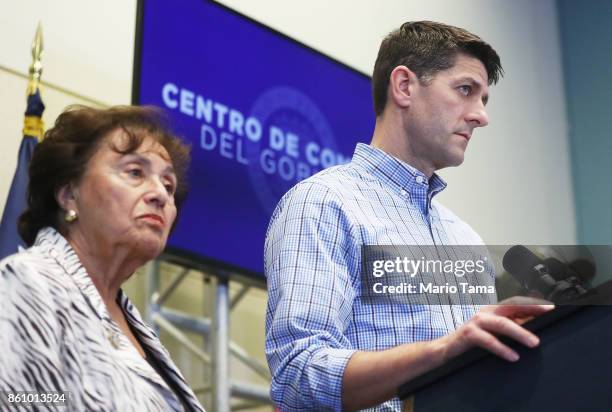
63, 155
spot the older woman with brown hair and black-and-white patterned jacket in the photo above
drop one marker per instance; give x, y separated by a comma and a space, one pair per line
105, 186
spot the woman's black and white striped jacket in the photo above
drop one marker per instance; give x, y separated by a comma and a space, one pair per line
56, 335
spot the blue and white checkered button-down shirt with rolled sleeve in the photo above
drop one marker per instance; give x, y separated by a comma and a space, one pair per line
315, 320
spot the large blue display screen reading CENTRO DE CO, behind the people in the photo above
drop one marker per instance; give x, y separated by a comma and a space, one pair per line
260, 110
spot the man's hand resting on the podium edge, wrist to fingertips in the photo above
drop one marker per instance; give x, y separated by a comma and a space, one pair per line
503, 319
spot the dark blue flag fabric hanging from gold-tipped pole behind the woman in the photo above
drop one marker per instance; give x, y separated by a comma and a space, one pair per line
16, 200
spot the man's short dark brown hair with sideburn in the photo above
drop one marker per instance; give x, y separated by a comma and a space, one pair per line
426, 48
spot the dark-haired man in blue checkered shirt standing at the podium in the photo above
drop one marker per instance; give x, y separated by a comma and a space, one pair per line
327, 348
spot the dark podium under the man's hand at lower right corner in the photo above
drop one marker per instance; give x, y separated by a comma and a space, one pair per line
571, 369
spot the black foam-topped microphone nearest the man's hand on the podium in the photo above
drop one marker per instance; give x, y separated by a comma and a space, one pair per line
550, 277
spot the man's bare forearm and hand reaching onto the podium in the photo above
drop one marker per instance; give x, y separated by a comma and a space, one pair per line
373, 377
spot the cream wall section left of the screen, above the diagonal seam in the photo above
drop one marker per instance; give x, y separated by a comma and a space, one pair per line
88, 44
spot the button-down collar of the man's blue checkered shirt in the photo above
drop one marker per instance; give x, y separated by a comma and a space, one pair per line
396, 173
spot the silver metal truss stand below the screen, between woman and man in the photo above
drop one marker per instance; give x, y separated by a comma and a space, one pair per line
216, 336
